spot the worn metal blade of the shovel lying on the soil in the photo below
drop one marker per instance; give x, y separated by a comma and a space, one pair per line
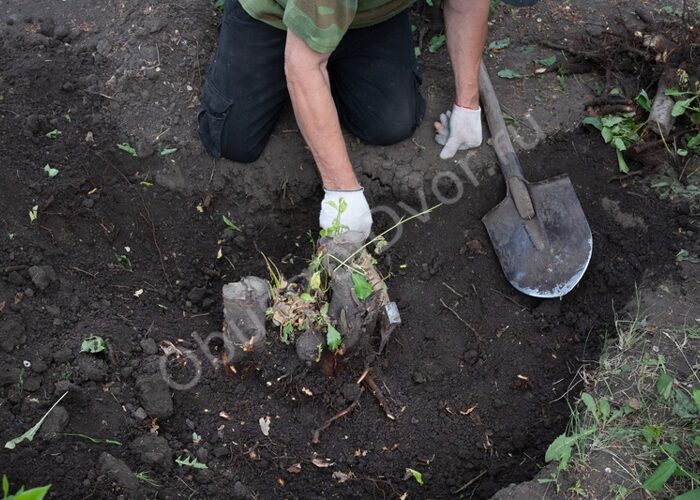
547, 255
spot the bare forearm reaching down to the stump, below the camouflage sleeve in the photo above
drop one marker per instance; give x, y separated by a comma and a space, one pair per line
317, 117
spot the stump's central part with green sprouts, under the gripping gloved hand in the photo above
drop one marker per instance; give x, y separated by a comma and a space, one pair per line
337, 297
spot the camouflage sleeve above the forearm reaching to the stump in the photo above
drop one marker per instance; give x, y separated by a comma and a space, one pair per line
320, 23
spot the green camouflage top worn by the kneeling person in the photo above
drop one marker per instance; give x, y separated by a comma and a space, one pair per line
322, 23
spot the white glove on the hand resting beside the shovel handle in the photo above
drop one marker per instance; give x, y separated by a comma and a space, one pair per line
457, 130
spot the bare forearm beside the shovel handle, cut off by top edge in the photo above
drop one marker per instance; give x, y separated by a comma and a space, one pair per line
466, 27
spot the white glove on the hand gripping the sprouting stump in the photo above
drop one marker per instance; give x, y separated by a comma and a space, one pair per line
343, 211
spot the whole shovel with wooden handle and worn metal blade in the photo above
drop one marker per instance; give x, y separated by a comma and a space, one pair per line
539, 231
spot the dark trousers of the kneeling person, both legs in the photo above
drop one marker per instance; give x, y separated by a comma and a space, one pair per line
374, 81
